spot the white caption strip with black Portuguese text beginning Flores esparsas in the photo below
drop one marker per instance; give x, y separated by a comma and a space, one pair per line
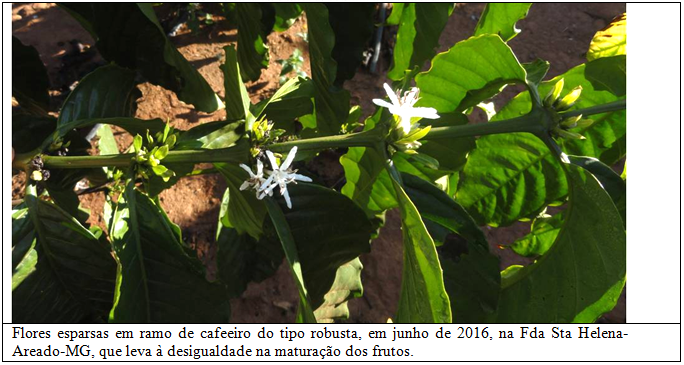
341, 342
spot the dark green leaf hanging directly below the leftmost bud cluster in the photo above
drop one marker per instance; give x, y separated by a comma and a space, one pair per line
156, 273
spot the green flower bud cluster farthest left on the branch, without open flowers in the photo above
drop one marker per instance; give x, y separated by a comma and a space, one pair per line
150, 151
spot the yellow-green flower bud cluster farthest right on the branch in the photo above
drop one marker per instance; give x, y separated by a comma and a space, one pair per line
555, 103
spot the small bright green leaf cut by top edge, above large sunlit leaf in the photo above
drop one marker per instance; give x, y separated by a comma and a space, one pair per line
500, 19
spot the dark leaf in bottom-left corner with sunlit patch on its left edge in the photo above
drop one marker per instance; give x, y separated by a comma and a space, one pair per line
73, 269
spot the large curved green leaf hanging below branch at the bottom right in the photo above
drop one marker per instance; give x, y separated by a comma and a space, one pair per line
581, 276
